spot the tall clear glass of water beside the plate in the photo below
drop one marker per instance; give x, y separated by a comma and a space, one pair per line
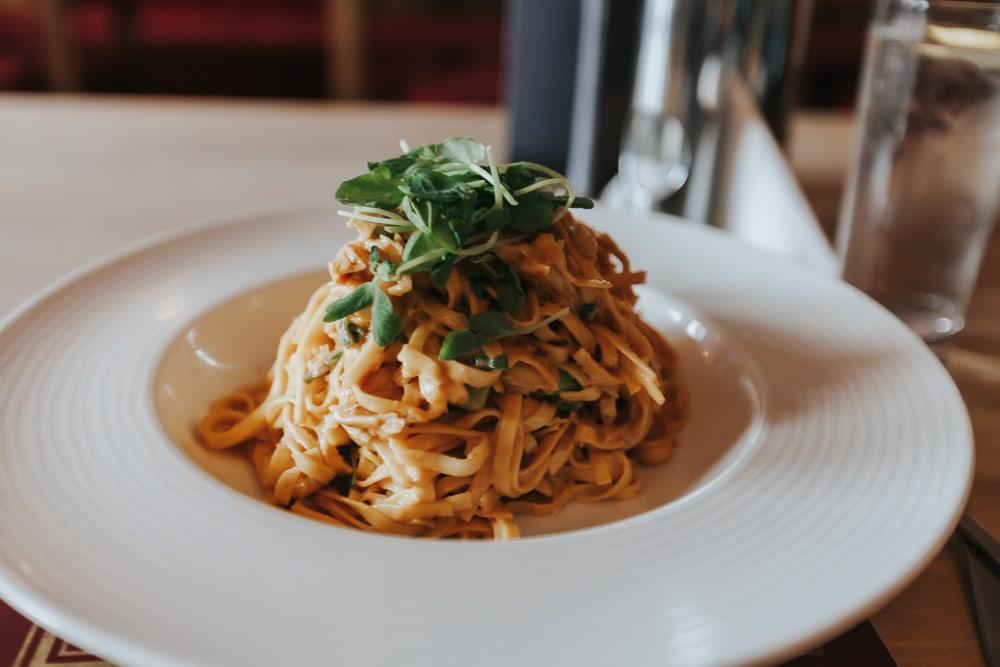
923, 189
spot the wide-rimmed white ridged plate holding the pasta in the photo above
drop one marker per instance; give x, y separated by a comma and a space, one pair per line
827, 460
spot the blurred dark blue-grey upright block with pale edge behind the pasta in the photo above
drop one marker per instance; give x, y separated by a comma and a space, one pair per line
569, 81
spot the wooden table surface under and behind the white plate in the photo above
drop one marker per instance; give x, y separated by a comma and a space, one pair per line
79, 177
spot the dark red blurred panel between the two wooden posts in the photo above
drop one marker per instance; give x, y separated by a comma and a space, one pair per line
191, 47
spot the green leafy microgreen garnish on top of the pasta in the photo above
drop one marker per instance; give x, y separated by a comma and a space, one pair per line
454, 201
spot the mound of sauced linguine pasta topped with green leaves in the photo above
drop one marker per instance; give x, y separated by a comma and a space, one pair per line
475, 355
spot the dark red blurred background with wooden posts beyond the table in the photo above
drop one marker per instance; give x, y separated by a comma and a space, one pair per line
435, 51
